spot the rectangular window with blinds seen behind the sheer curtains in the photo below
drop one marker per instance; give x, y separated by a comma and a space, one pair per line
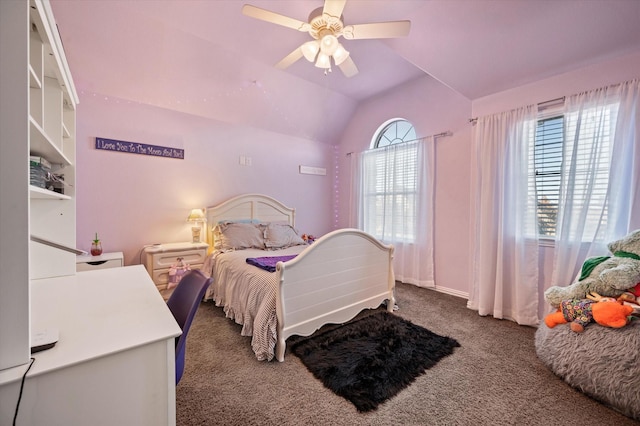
570, 163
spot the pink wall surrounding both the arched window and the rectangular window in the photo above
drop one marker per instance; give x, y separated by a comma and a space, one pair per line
433, 108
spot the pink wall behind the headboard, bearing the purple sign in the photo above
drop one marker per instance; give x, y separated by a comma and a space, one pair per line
132, 200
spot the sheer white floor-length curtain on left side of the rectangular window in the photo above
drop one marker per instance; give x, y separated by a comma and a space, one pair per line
505, 256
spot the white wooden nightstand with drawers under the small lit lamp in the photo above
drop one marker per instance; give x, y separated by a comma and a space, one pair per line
159, 258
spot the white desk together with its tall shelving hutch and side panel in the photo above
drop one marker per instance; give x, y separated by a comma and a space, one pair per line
103, 341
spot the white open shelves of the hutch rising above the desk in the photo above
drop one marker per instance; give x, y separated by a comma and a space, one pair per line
52, 129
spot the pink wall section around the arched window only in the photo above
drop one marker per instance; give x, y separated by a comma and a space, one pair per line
432, 108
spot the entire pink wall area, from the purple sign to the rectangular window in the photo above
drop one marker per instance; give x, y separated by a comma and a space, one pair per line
133, 200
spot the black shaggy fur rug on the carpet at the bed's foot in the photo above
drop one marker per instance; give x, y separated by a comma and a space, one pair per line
371, 358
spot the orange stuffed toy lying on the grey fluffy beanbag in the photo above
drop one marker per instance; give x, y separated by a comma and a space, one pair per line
606, 311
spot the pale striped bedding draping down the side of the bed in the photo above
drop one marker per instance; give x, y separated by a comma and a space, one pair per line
247, 294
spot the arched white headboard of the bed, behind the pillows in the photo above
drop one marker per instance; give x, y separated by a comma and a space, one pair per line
256, 207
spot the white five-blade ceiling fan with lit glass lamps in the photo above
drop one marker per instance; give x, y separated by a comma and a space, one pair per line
326, 25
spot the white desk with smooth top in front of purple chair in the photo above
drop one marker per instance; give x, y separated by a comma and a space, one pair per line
114, 362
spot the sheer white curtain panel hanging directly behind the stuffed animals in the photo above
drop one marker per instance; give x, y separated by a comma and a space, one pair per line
601, 179
